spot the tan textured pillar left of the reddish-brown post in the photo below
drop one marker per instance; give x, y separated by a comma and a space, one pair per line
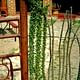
11, 7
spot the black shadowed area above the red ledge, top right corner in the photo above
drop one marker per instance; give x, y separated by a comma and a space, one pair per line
66, 4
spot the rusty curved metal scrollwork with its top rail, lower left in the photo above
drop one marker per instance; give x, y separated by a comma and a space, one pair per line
10, 68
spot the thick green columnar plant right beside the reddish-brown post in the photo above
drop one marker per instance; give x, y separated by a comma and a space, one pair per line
37, 40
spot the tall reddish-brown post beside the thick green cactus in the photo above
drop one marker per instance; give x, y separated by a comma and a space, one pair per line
23, 40
